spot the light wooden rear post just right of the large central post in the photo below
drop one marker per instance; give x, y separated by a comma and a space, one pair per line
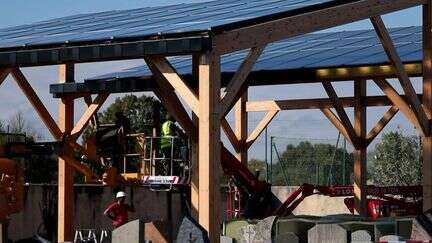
241, 127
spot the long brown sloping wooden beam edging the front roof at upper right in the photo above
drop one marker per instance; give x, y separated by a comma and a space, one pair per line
271, 31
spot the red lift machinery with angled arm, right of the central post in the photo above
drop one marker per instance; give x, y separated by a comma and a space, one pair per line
260, 202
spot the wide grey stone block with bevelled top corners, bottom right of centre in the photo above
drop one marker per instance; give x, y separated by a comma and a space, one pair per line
328, 233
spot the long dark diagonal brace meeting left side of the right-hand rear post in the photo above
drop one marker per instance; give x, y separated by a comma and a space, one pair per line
343, 117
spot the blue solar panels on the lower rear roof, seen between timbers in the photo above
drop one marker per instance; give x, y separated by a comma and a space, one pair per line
317, 50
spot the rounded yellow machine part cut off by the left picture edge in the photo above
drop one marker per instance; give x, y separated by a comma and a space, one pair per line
11, 188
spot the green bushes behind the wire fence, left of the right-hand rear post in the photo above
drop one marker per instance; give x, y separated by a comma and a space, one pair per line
321, 164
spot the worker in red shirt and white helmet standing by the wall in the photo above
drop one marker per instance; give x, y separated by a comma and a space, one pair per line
118, 210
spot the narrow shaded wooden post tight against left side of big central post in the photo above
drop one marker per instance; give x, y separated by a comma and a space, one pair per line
195, 146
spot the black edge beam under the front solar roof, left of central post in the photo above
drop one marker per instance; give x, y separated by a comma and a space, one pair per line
103, 52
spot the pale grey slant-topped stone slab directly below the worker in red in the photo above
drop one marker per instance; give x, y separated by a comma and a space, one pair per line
132, 232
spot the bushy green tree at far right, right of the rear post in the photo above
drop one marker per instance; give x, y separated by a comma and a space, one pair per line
397, 160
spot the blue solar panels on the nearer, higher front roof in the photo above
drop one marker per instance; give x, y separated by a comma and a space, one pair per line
145, 22
